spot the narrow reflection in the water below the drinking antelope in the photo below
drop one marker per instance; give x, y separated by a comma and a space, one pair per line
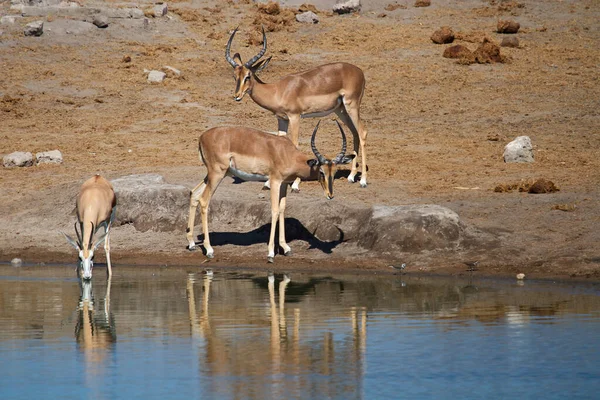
95, 332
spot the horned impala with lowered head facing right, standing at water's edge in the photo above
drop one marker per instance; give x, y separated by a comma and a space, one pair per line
250, 154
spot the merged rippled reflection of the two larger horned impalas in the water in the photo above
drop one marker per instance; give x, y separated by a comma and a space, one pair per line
241, 351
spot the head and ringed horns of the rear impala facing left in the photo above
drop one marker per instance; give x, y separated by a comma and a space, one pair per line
244, 73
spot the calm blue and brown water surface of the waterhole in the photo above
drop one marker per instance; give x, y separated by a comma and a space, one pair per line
178, 333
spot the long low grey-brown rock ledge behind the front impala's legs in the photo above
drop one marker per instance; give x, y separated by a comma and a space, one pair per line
149, 203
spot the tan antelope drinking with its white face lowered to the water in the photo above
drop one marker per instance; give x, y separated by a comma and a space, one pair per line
96, 206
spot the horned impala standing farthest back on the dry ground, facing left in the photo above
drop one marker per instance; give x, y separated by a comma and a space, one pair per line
336, 87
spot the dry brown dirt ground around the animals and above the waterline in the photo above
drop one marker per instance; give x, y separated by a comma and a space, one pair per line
437, 128
